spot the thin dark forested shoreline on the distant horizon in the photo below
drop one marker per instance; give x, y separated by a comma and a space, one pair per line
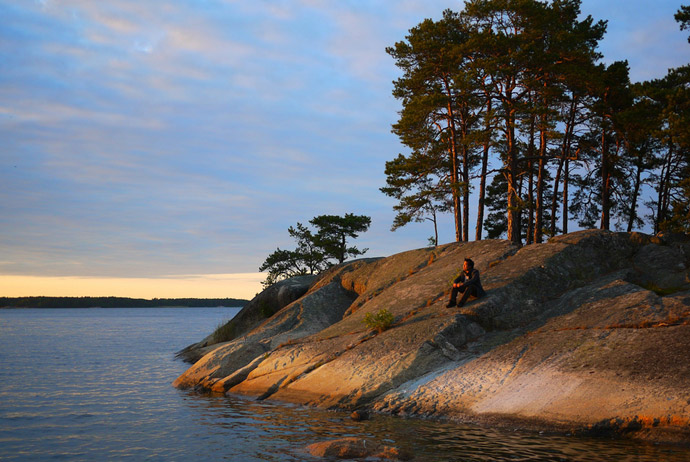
116, 302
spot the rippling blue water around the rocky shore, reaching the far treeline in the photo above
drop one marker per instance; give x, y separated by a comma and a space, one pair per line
95, 385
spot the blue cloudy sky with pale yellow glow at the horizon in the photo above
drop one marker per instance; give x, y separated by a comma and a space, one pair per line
162, 149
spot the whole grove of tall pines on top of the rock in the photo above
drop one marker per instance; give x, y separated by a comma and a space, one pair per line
510, 95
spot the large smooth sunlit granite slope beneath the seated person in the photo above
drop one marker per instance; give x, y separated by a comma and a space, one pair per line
589, 332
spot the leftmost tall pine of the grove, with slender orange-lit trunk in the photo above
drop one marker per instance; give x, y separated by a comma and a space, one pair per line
438, 118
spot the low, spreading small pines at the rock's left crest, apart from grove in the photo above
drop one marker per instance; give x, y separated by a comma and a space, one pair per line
316, 250
